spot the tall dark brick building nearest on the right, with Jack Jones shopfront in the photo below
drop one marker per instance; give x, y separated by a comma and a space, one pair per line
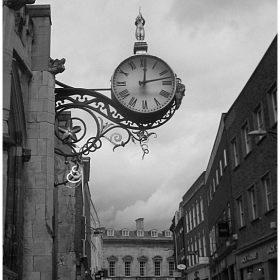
254, 170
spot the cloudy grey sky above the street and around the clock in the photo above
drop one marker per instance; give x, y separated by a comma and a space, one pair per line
213, 46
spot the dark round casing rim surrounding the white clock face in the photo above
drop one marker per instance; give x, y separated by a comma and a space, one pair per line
141, 116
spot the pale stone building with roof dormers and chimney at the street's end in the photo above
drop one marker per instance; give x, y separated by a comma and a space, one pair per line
139, 253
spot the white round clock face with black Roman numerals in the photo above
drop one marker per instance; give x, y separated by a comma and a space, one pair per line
144, 83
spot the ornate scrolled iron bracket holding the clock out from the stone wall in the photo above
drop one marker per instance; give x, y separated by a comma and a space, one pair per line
118, 130
